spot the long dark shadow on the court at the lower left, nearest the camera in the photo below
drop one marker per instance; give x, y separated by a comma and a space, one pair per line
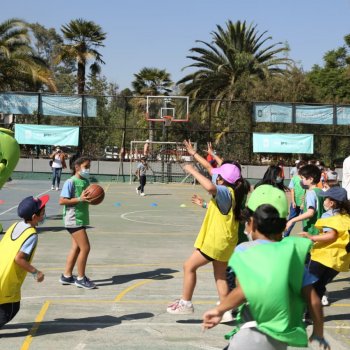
66, 325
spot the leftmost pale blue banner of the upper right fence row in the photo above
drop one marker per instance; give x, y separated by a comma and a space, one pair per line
272, 113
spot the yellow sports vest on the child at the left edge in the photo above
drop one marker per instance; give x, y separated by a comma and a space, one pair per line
11, 275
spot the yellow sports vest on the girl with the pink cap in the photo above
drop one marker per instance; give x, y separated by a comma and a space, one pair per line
218, 235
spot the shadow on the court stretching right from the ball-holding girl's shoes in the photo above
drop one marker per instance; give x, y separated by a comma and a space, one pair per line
158, 274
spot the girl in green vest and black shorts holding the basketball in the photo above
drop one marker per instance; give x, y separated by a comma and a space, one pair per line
75, 199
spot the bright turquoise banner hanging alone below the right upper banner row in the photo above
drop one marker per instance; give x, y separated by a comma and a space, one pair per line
283, 143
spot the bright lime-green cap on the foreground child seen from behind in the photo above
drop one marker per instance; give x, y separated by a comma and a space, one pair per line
267, 194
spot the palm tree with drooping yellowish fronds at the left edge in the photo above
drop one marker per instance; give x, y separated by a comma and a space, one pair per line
20, 67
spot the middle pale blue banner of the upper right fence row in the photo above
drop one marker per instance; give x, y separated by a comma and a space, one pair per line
305, 114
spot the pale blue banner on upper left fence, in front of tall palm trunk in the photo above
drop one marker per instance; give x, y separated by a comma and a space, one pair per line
68, 106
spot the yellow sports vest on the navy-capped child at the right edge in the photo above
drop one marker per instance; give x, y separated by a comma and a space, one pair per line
336, 254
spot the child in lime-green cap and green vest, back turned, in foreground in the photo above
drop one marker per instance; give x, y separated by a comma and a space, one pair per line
273, 285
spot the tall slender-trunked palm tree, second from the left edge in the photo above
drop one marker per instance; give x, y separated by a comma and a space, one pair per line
84, 37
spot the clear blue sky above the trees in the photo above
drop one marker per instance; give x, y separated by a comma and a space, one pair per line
159, 34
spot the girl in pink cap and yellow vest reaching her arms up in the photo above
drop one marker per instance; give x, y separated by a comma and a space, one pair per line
218, 235
